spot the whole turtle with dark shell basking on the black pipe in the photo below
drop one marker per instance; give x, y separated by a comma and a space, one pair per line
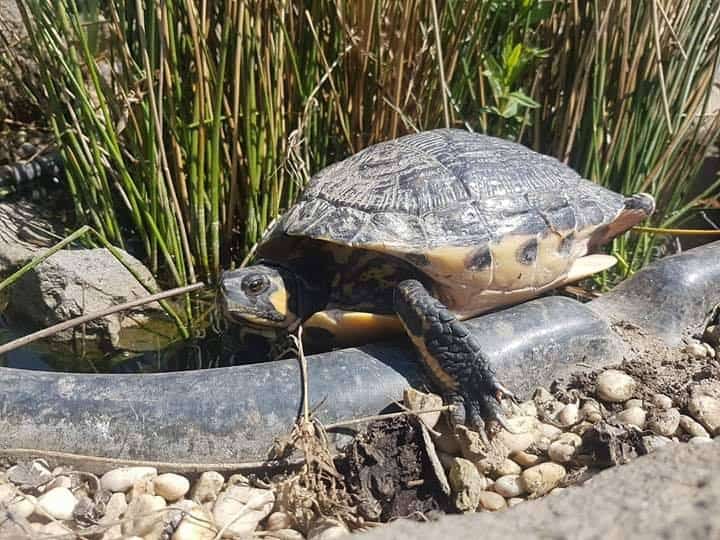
422, 232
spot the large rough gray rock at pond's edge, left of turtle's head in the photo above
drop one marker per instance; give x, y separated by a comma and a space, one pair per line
75, 282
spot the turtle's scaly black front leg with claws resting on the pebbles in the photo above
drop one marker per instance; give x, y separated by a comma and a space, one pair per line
452, 356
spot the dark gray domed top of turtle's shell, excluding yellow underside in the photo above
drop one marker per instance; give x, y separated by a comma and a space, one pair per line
445, 187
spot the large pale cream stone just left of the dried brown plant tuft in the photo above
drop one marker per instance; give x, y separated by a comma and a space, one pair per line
251, 504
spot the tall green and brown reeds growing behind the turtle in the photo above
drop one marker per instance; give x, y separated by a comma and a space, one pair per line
187, 125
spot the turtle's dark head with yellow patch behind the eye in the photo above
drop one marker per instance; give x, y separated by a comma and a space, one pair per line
267, 297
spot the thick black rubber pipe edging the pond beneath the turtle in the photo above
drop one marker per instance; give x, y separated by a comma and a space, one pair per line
234, 414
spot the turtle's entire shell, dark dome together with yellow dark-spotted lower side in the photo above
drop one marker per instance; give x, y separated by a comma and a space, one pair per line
469, 210
